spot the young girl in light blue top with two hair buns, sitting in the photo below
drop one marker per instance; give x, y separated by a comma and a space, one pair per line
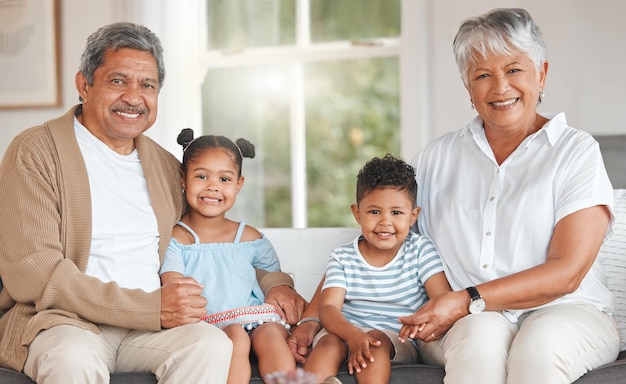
222, 255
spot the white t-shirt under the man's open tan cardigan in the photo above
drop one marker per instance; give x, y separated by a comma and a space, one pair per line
124, 245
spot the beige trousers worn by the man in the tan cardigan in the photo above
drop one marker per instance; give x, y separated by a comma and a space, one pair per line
194, 353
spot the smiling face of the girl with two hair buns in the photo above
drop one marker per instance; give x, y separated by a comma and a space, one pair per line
211, 182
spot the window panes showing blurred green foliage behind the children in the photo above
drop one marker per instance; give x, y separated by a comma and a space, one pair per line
351, 106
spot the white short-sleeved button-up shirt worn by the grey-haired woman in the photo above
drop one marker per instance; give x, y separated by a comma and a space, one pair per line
490, 220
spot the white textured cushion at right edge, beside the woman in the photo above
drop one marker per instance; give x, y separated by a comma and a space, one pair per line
613, 254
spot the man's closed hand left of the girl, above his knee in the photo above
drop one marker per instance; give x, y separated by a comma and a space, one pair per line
181, 302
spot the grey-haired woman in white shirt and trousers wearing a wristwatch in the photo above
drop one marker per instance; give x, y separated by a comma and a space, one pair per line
518, 204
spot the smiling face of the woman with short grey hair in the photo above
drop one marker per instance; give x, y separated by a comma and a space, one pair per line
505, 90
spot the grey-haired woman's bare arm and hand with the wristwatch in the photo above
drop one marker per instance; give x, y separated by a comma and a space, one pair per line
573, 248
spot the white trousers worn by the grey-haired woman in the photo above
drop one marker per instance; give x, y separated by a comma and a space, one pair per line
556, 344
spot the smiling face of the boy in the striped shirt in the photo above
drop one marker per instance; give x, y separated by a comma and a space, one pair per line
385, 216
